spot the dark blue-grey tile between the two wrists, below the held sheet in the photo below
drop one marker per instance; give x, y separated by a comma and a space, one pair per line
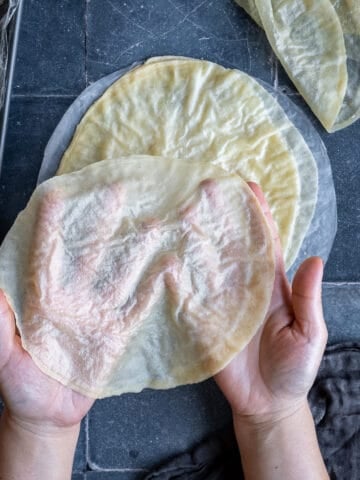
141, 430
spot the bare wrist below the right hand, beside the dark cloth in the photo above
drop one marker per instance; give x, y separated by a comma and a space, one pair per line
270, 445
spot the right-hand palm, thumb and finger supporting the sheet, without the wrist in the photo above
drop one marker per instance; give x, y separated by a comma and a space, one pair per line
272, 376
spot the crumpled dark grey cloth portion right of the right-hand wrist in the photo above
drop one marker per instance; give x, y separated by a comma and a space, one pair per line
335, 403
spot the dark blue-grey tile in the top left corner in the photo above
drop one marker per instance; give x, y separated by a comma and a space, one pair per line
51, 53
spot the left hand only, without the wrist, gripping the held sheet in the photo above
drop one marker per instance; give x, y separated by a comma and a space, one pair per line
31, 397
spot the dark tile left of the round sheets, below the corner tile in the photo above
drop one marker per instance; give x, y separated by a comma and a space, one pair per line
31, 122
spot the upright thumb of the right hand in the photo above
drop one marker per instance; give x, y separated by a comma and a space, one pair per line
306, 300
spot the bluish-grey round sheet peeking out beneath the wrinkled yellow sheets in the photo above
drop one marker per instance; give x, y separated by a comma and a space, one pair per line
320, 236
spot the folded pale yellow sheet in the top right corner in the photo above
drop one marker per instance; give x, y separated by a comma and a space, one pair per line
318, 44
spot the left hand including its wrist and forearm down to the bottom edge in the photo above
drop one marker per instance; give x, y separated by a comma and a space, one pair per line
40, 425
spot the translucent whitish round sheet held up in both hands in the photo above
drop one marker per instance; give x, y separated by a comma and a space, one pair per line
131, 273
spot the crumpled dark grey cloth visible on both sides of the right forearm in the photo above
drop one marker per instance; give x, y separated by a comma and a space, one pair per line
335, 404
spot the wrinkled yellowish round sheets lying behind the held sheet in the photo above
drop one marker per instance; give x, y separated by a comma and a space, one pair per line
199, 111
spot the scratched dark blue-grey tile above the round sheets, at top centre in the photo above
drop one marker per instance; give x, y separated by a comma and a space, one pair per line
132, 31
